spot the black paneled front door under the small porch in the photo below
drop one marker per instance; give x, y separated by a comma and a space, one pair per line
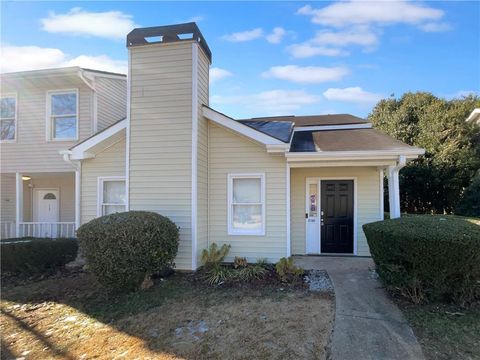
337, 216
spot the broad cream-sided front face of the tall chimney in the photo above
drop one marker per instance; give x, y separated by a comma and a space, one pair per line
161, 114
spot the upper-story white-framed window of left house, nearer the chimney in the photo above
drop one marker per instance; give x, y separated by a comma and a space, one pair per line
63, 115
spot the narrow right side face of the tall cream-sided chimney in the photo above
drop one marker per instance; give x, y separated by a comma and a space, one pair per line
202, 156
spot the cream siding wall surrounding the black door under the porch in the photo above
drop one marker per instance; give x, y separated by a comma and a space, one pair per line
368, 201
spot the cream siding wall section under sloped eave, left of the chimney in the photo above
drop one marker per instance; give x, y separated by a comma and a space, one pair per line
110, 162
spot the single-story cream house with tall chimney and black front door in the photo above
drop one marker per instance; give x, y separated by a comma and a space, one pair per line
269, 187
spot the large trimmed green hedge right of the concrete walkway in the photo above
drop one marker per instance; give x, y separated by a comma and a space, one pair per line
427, 257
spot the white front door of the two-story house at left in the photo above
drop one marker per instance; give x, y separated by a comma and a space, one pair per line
47, 212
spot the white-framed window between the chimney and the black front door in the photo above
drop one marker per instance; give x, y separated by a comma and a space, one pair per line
246, 204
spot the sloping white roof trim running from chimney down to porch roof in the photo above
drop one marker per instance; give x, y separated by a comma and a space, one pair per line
245, 130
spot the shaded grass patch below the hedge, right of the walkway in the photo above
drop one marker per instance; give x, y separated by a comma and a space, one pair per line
445, 332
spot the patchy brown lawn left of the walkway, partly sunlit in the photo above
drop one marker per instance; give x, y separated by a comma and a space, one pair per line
71, 317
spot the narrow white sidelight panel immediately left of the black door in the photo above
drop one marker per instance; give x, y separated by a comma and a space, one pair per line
312, 218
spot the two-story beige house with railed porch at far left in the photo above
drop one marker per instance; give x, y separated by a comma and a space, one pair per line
43, 112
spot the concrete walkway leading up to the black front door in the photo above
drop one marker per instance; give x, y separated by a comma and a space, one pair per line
367, 324
